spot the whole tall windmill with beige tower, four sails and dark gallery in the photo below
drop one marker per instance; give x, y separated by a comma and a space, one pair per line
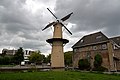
57, 42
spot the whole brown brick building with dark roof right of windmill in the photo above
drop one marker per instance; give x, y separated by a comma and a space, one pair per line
97, 43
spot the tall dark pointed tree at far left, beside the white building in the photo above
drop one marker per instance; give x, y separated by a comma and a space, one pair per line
19, 56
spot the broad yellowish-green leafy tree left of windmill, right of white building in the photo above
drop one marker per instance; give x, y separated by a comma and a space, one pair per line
36, 57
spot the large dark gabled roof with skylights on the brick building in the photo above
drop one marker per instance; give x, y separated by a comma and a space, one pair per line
91, 39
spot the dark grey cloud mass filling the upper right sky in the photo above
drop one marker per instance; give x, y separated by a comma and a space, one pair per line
91, 15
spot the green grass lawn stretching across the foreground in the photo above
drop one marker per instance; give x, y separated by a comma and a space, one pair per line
57, 75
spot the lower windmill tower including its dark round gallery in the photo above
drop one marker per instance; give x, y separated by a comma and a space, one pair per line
57, 54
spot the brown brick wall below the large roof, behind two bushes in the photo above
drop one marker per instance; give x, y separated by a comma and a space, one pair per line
81, 53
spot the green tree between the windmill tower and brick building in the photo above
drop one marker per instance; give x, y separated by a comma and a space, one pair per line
68, 58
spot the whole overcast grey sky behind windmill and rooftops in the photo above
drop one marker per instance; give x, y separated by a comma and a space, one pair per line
21, 21
